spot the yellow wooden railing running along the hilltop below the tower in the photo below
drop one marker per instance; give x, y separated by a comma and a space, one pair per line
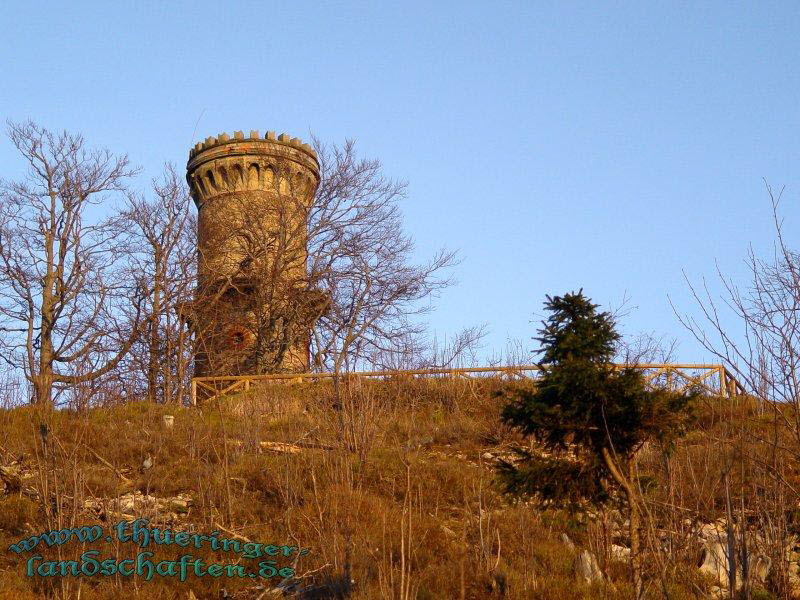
715, 379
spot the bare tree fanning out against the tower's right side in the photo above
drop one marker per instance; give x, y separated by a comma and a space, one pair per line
360, 255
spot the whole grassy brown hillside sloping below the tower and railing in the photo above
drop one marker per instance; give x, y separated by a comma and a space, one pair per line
390, 492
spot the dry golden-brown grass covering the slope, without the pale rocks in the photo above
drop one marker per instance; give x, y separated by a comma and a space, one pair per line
392, 486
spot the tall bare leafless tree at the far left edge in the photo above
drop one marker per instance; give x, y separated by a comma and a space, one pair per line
60, 289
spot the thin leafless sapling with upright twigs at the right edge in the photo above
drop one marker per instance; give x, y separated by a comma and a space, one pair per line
765, 358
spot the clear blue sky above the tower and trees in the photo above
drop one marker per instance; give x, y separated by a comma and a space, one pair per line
557, 145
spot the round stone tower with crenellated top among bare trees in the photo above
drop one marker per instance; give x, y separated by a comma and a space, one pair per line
253, 309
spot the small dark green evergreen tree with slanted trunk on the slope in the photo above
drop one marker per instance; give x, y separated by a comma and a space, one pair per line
589, 418
